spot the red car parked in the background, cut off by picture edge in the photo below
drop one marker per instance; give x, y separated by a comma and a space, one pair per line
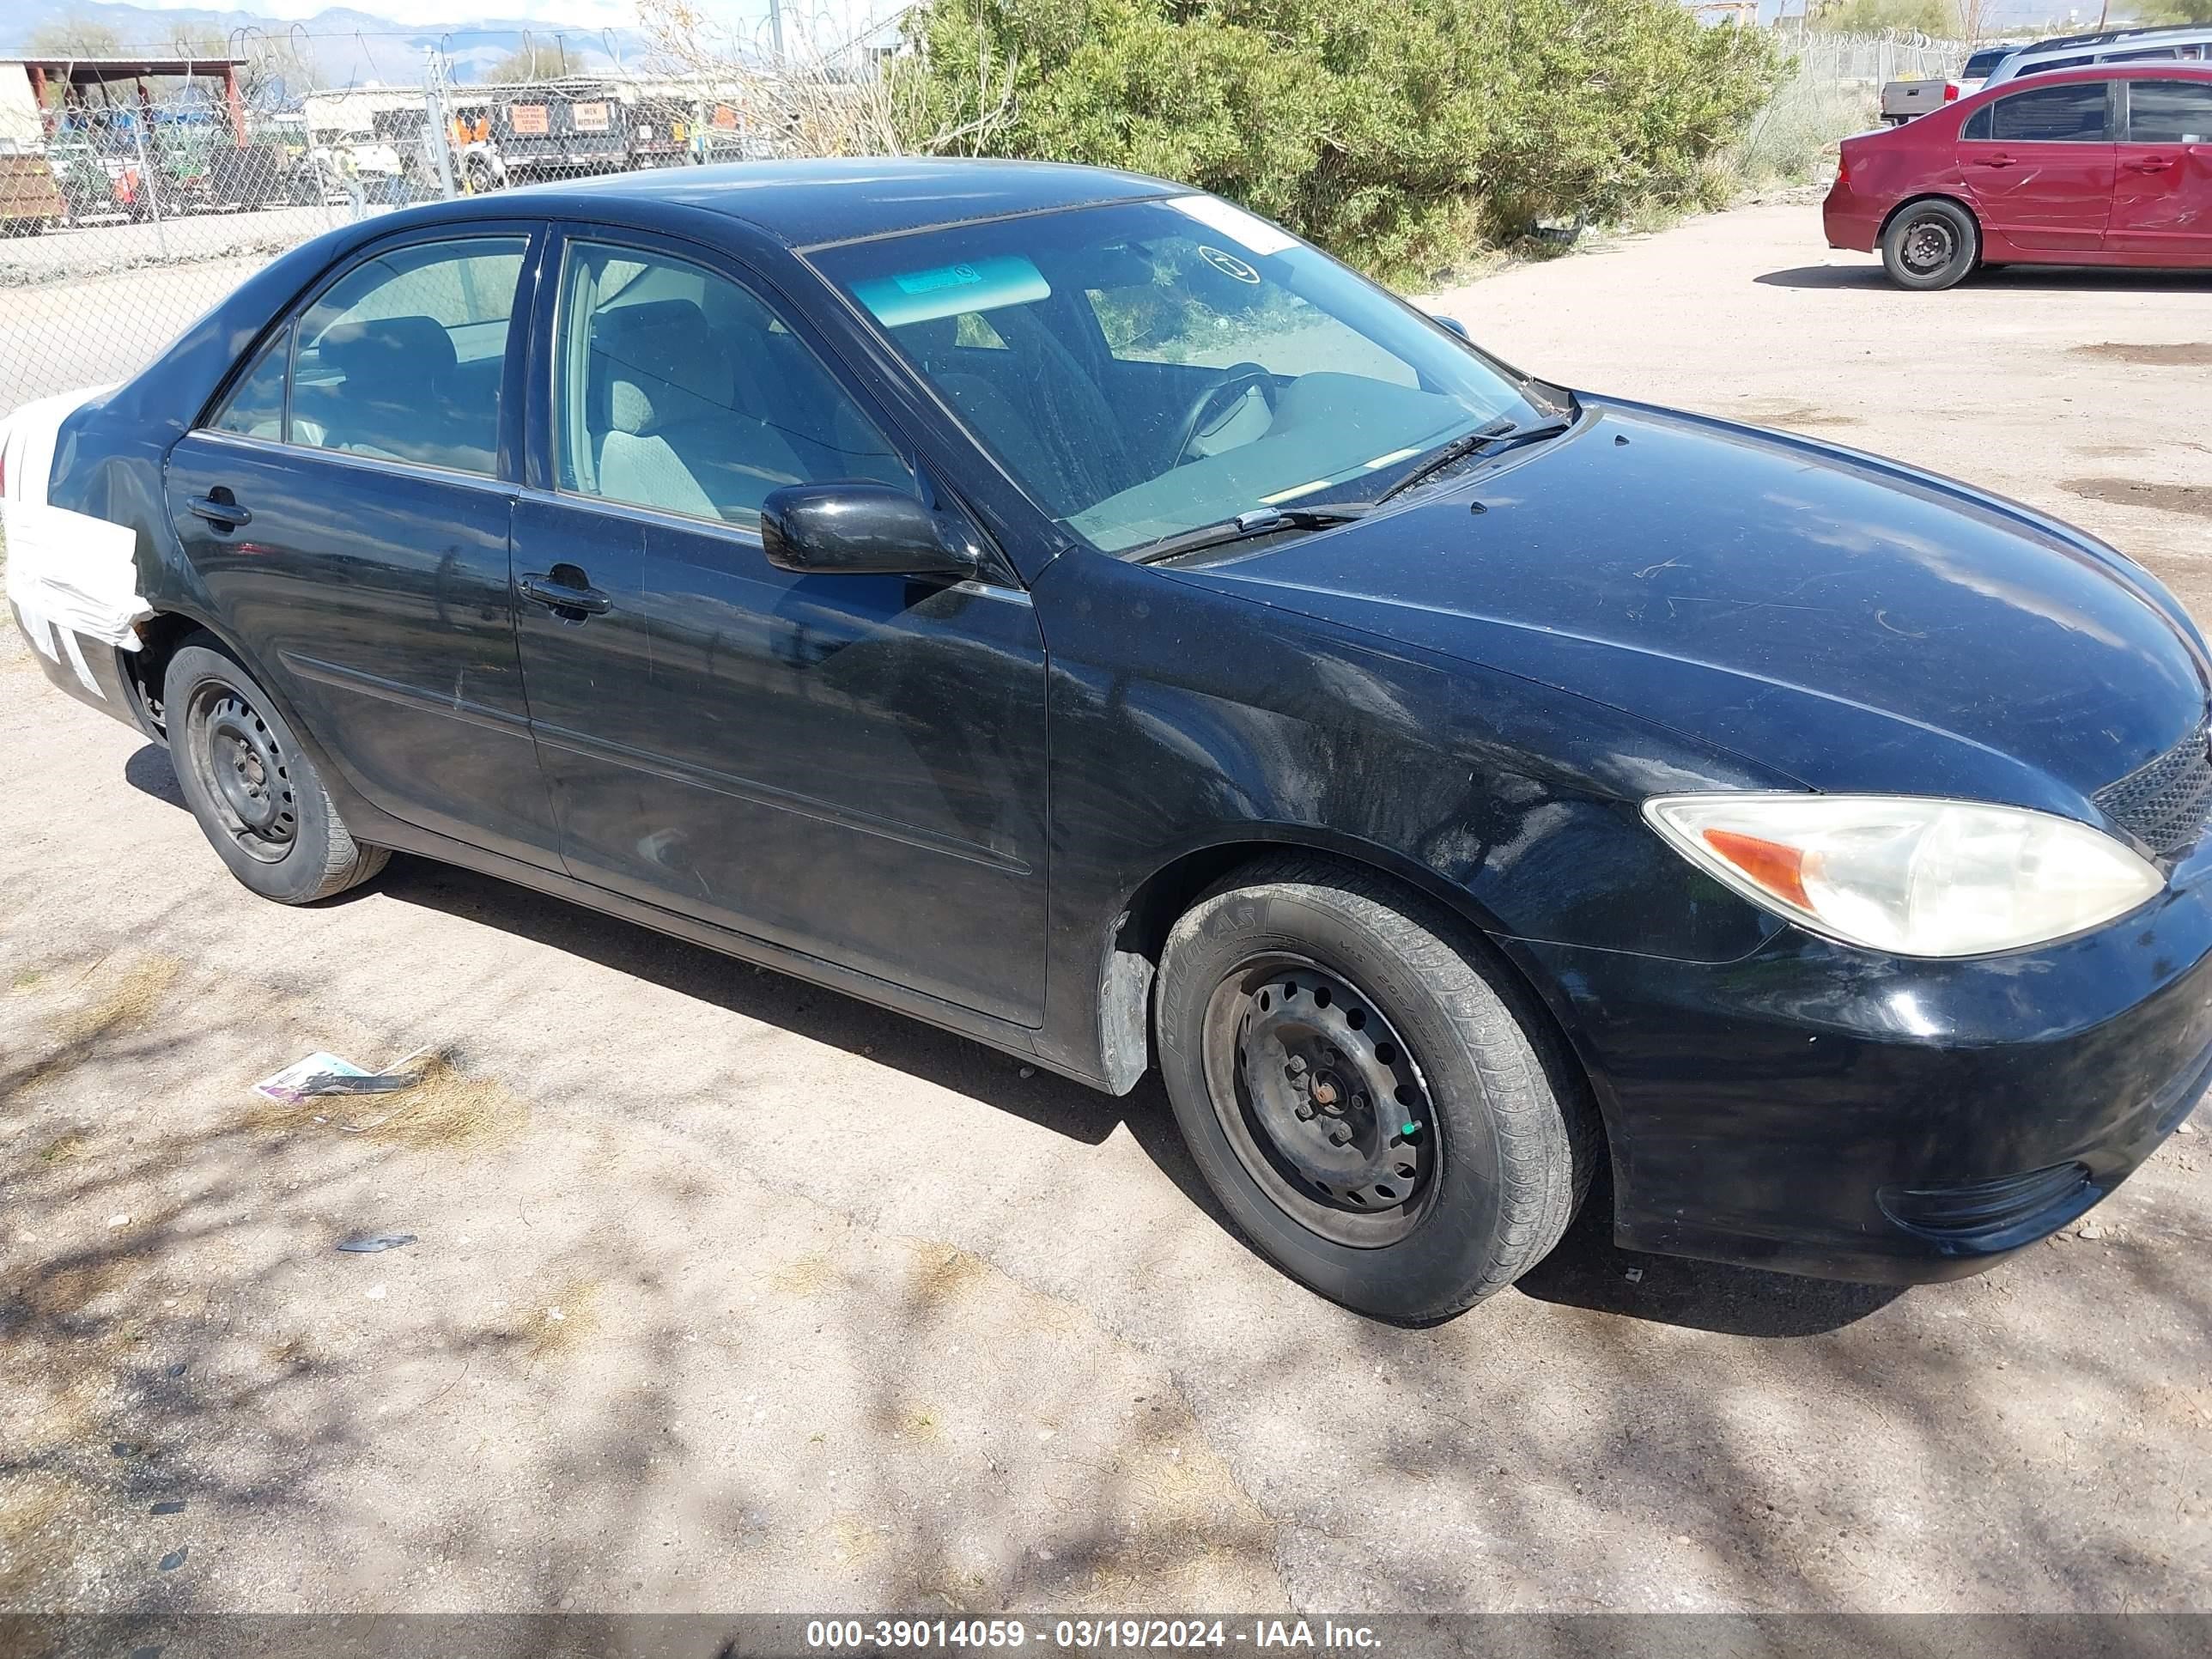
2085, 167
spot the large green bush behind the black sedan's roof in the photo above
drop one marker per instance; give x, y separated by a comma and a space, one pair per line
1397, 134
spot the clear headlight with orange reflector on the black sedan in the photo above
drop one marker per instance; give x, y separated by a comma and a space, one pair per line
1910, 875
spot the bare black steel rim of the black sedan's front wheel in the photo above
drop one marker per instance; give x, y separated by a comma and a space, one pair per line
1317, 1089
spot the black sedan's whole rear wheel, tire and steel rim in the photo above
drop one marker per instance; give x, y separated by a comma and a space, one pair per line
251, 784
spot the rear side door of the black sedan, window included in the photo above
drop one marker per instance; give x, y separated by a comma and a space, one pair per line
348, 505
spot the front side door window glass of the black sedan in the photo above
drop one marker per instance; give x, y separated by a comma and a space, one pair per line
682, 390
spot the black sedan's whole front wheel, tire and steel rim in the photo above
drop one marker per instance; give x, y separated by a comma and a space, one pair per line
1401, 1227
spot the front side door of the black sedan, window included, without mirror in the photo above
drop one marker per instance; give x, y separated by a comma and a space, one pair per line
846, 766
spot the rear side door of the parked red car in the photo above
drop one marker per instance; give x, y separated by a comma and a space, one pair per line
2041, 165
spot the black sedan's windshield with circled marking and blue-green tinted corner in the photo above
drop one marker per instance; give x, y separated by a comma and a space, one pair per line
1158, 366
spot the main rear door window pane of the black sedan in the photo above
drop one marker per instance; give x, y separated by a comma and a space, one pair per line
404, 357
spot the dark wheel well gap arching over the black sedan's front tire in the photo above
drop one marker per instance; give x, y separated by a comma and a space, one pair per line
1160, 901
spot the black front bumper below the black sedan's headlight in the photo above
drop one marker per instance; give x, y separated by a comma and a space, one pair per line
1839, 1114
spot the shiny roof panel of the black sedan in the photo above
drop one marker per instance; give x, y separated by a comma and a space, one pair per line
846, 200
